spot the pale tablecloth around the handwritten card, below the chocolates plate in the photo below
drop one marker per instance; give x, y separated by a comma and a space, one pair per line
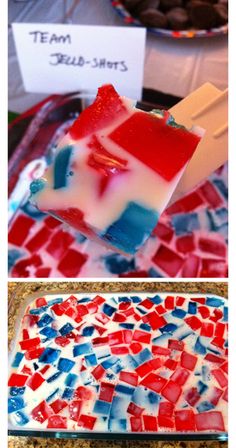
175, 66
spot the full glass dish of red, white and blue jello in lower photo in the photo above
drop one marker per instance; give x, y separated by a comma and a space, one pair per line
127, 365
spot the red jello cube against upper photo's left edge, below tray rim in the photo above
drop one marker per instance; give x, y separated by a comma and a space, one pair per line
20, 230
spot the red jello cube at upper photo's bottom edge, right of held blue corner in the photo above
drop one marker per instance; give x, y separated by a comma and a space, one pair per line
168, 260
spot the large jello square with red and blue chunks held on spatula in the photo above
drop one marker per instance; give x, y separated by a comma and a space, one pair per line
115, 171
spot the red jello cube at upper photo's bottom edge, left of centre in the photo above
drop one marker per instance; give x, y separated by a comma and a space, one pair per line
72, 262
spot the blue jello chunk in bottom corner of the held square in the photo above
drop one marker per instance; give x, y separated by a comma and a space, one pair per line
132, 228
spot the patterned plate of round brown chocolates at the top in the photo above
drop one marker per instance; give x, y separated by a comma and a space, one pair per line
176, 18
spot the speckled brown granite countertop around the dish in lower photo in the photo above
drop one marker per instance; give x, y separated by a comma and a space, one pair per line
17, 292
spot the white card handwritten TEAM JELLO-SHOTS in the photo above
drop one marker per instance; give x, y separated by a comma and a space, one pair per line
65, 58
